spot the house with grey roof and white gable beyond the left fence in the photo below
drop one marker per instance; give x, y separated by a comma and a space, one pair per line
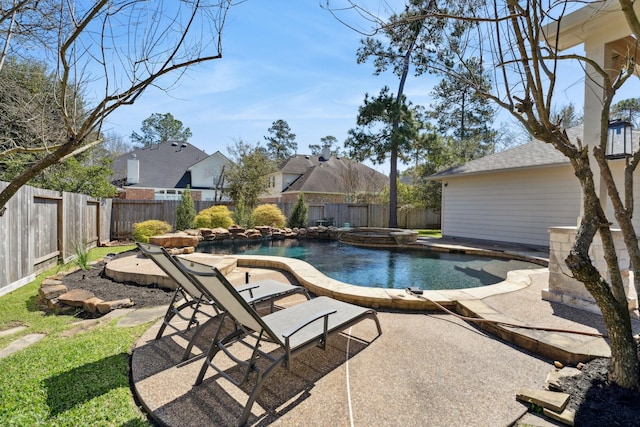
163, 171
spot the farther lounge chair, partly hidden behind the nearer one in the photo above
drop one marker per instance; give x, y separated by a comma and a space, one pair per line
195, 299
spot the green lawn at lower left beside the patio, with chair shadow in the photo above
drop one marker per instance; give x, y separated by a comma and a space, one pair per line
65, 381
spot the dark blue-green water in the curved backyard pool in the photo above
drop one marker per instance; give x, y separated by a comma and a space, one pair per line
382, 268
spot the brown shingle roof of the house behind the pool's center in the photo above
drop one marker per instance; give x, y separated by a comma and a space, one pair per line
335, 175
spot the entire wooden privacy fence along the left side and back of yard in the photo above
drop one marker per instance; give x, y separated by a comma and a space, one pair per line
41, 227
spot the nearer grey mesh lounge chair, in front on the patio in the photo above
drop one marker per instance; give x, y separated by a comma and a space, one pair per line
292, 329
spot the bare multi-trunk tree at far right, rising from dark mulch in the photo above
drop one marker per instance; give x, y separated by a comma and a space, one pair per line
527, 61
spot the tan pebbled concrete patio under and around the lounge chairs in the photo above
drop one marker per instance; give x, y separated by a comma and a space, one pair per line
427, 368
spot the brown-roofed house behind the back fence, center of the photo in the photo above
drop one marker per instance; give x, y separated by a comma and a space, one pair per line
324, 179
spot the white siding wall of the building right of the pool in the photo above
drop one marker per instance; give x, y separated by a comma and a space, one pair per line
516, 207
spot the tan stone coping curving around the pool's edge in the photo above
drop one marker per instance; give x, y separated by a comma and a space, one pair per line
378, 298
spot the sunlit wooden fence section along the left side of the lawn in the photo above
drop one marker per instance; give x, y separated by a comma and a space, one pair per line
42, 227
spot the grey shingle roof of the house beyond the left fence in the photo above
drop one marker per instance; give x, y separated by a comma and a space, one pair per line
161, 165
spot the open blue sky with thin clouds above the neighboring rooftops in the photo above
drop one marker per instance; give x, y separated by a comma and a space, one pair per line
289, 60
